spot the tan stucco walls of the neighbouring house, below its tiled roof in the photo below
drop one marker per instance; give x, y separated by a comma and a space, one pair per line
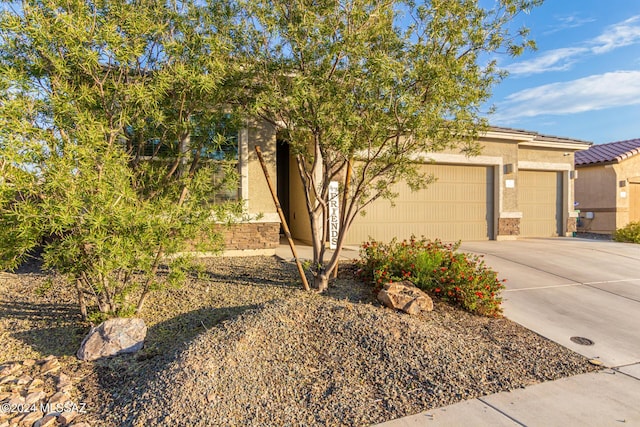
607, 195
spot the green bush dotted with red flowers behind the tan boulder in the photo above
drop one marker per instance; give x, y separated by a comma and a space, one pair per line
437, 268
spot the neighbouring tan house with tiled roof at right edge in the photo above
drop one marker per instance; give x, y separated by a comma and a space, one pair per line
608, 186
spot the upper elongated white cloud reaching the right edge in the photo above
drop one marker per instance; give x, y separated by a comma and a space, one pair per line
622, 34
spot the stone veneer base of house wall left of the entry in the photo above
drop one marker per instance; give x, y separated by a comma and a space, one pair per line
254, 235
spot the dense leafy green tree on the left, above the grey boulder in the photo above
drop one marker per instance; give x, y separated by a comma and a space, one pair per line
107, 142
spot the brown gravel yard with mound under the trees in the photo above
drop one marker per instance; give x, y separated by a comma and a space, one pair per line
243, 345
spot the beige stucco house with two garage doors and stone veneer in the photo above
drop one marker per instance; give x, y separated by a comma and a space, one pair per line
521, 185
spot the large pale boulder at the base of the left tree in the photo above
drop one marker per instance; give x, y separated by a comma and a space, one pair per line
113, 337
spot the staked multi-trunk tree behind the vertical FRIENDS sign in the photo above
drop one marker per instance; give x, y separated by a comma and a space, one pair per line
359, 88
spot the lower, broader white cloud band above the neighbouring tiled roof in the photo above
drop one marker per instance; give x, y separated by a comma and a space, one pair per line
597, 92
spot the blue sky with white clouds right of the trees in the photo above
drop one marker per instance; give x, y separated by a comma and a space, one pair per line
583, 81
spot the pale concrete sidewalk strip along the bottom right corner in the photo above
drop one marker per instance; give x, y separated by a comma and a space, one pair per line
605, 398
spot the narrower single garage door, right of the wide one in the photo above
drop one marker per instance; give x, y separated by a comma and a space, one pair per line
540, 200
